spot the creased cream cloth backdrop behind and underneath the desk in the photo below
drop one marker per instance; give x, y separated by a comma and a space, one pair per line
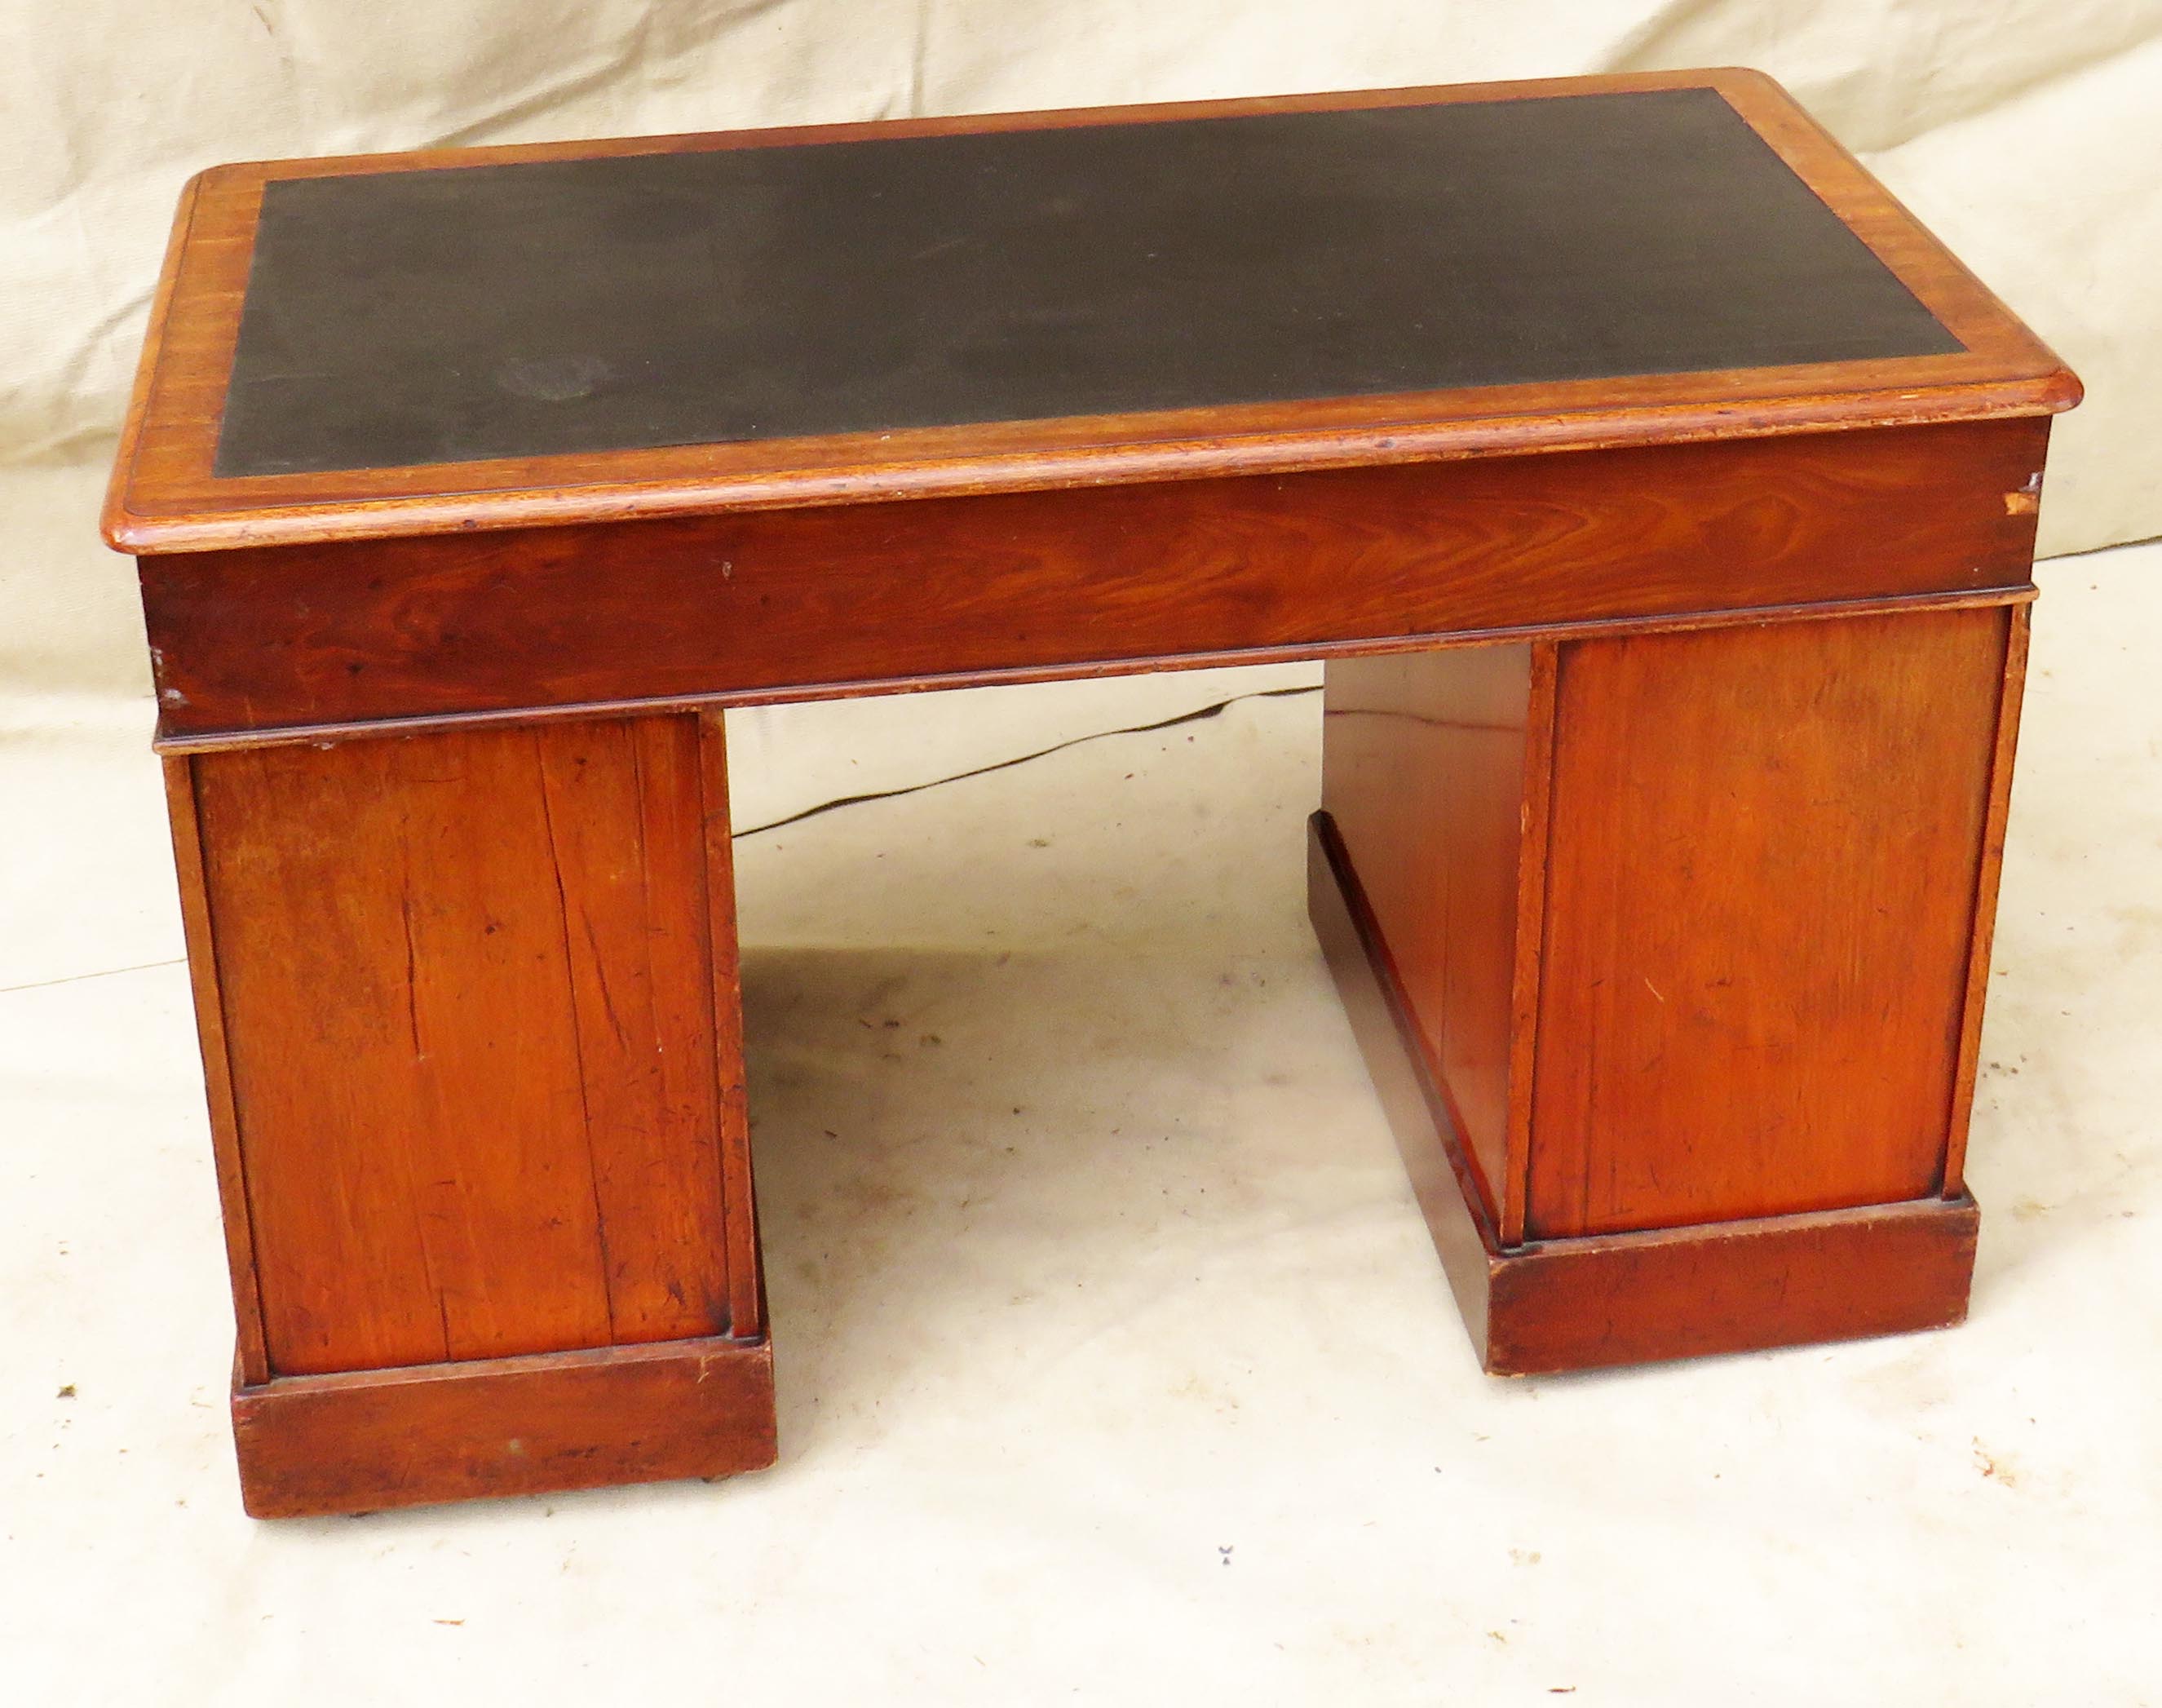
1986, 1499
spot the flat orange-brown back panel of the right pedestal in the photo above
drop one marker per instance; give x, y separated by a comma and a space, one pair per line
1761, 907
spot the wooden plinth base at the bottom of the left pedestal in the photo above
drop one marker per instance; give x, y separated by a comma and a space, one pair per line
369, 1441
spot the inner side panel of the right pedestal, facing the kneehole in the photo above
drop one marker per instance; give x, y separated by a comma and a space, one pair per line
1424, 769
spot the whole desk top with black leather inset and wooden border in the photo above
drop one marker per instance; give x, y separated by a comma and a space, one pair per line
496, 338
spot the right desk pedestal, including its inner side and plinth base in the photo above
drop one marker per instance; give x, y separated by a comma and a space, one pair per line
1668, 957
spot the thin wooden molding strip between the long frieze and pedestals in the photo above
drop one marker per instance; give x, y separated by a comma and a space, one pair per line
168, 743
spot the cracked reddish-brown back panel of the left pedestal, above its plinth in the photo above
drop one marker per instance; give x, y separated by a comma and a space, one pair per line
470, 1017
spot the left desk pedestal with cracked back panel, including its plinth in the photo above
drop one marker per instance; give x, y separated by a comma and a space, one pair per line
475, 1050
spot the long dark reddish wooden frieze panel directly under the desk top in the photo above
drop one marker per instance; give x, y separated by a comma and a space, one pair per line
328, 637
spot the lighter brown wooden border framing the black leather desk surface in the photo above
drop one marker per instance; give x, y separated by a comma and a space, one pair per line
168, 496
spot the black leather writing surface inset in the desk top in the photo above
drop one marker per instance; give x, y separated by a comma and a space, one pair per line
758, 293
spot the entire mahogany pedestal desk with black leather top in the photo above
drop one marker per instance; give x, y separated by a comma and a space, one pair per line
1657, 492
